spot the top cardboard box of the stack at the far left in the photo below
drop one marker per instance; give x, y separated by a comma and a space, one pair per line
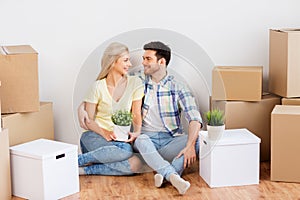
19, 77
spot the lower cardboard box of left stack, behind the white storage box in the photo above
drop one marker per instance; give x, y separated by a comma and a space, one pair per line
25, 127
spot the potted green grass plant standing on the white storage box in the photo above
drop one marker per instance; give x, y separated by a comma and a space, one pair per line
215, 123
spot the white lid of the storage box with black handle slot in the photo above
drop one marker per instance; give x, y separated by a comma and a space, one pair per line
42, 149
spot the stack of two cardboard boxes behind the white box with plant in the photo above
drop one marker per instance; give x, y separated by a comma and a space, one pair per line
238, 92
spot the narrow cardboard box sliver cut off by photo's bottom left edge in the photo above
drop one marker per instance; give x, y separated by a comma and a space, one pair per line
5, 178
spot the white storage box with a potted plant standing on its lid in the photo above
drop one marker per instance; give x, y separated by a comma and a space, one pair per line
231, 161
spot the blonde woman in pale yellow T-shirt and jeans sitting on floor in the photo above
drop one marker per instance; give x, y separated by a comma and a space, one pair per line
113, 90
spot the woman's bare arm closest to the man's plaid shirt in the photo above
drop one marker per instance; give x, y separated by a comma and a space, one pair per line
137, 120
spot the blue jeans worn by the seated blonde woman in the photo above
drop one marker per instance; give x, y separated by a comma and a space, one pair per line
100, 156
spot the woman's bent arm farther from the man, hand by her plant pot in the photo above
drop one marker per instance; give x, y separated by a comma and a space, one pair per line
93, 126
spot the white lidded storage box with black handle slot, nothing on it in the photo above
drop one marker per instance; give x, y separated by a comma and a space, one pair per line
44, 169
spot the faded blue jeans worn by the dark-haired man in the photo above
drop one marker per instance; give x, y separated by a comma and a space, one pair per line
160, 150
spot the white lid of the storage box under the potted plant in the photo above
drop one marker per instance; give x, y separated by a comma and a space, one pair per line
235, 137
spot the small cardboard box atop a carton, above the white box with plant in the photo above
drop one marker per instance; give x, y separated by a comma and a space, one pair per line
237, 83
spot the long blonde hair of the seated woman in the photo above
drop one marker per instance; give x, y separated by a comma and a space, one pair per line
111, 54
